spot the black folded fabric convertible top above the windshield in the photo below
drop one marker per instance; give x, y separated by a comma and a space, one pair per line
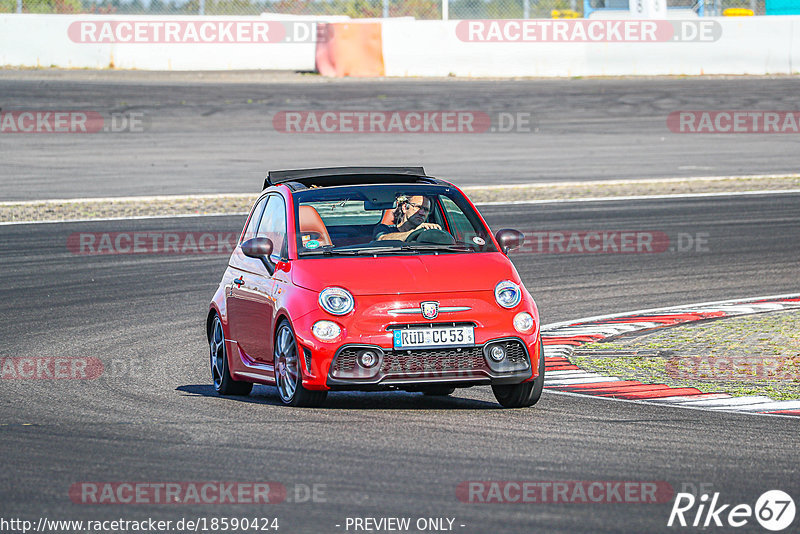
332, 176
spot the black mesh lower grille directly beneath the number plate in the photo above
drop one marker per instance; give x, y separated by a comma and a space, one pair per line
441, 360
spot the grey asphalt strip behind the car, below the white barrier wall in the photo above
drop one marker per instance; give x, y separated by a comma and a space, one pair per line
206, 136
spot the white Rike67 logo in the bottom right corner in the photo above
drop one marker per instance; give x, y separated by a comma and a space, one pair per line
774, 510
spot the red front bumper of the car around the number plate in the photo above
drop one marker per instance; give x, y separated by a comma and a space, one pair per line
372, 324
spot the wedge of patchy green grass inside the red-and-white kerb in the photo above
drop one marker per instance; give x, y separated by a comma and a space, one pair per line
753, 355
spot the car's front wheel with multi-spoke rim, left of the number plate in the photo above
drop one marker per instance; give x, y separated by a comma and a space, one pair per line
289, 375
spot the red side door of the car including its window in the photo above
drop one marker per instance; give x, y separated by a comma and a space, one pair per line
251, 300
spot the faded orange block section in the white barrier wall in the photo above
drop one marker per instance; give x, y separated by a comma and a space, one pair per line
350, 49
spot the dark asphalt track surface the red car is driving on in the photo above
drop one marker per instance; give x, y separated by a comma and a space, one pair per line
153, 415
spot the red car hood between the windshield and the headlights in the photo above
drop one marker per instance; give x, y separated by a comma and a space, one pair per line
407, 274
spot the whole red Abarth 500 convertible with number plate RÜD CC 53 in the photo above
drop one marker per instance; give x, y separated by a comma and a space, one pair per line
372, 278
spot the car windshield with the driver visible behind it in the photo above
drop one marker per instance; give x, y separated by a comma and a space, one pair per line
387, 219
